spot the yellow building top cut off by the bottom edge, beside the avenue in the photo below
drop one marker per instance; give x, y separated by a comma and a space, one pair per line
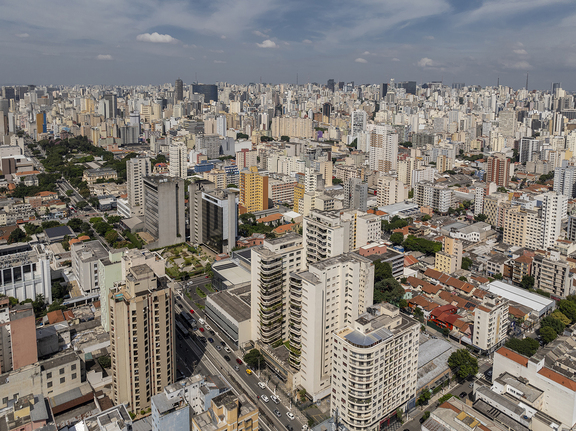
228, 413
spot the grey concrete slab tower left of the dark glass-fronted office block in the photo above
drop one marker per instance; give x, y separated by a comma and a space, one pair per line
164, 210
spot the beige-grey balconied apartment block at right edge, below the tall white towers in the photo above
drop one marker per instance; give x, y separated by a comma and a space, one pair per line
552, 275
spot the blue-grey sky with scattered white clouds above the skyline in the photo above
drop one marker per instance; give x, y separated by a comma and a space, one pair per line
140, 42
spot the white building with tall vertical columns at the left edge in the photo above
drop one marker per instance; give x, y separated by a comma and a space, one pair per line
25, 272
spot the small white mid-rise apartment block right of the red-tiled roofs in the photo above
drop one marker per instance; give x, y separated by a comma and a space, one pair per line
490, 323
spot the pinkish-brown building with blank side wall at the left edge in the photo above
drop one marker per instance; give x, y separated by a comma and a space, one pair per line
17, 336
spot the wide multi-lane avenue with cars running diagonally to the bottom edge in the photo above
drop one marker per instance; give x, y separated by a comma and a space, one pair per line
196, 356
